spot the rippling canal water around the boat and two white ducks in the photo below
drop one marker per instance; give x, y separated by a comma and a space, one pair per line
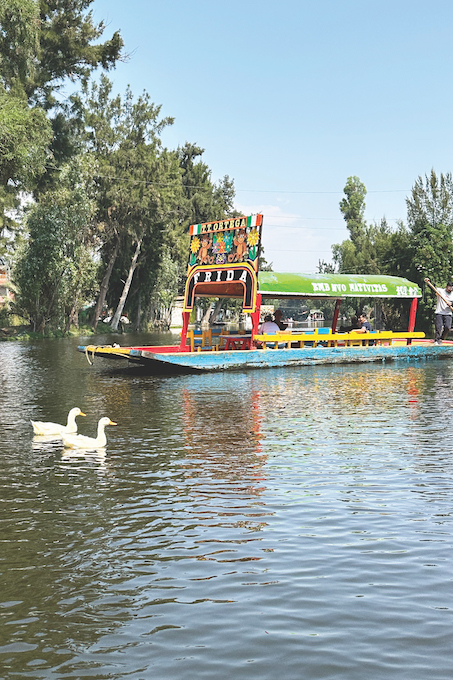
290, 523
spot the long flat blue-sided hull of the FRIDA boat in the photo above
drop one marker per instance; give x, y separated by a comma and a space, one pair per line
157, 361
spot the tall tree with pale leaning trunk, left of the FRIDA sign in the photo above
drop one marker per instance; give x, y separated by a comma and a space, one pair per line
135, 184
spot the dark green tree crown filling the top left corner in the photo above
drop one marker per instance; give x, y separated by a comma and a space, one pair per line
43, 42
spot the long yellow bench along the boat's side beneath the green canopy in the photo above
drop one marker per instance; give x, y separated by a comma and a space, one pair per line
329, 339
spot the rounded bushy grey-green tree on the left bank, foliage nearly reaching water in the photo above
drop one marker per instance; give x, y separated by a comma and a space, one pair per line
55, 272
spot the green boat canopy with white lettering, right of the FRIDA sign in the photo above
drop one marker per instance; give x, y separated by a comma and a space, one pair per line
274, 285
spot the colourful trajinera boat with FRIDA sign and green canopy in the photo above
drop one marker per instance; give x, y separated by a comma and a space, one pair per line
224, 263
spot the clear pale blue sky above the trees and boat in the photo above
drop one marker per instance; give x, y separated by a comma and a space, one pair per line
291, 97
